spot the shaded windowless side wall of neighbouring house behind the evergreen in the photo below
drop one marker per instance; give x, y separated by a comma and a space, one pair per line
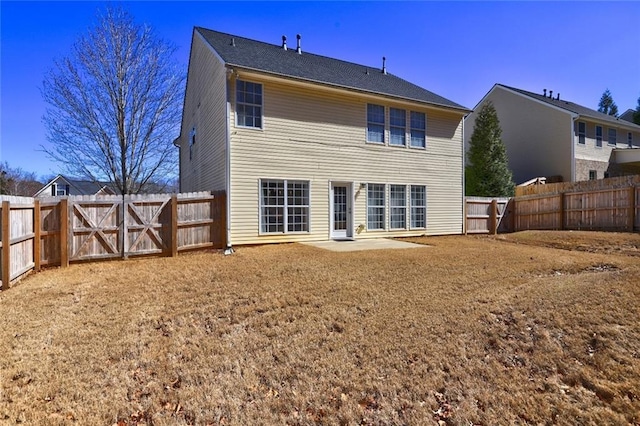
535, 135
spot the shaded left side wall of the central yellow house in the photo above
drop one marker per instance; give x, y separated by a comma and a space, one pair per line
205, 109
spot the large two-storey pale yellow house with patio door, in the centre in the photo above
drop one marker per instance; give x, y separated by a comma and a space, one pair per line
311, 148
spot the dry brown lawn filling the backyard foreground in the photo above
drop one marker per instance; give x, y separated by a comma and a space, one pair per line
528, 328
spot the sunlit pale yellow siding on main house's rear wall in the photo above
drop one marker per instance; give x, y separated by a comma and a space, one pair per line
319, 136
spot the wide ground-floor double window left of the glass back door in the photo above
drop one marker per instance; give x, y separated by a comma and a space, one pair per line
284, 206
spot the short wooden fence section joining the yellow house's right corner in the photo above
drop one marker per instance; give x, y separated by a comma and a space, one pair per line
484, 215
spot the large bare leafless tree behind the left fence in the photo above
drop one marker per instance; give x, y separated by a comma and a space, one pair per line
114, 105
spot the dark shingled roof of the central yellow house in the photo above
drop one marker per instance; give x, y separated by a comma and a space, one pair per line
273, 59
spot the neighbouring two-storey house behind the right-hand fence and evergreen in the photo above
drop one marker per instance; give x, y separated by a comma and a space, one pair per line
547, 136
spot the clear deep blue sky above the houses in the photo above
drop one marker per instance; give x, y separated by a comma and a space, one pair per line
455, 49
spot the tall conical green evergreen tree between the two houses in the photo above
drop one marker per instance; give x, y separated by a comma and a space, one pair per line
488, 173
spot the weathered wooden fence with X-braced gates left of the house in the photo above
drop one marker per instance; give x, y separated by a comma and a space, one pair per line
54, 231
